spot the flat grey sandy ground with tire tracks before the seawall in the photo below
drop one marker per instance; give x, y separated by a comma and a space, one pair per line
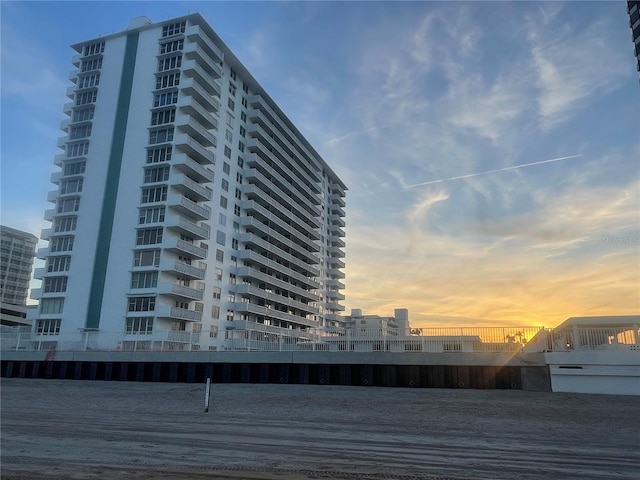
64, 429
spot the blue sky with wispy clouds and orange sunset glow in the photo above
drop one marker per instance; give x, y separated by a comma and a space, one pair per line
396, 94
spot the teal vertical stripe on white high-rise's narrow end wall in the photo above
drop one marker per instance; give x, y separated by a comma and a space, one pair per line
107, 215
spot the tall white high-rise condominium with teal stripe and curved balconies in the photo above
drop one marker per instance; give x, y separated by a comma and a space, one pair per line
188, 207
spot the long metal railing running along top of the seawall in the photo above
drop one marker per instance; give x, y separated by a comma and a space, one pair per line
249, 336
